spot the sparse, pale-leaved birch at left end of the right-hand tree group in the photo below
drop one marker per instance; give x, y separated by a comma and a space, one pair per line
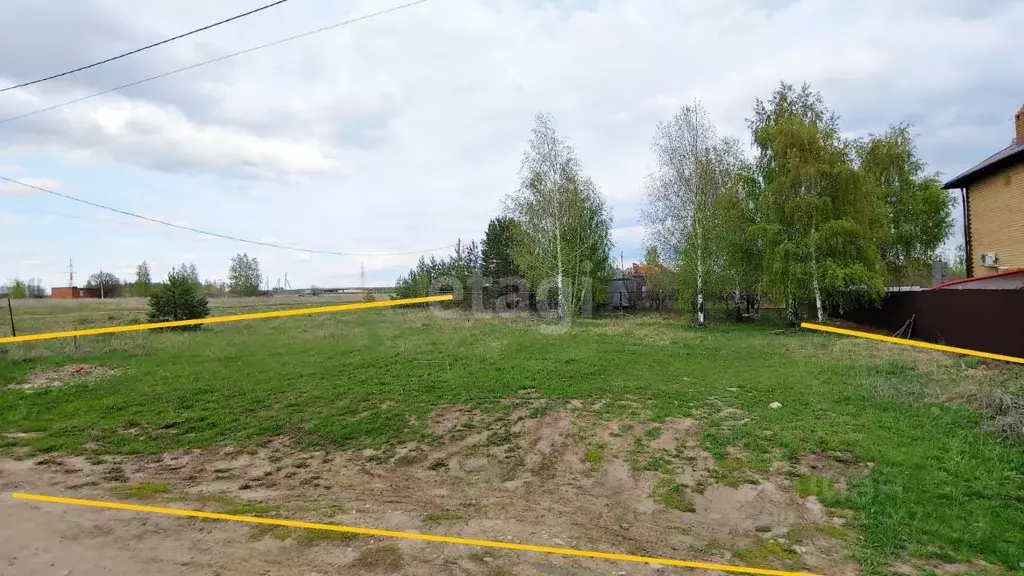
695, 167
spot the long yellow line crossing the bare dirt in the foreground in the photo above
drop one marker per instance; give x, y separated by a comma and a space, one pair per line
407, 536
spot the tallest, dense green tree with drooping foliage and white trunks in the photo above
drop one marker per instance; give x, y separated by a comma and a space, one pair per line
817, 209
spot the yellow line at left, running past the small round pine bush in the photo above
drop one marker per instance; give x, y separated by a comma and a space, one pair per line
221, 319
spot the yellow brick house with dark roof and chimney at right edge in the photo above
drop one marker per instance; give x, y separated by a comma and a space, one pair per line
993, 197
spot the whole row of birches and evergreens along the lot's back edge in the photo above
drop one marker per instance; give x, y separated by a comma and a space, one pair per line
813, 217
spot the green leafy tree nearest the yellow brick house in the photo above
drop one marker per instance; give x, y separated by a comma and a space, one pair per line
912, 216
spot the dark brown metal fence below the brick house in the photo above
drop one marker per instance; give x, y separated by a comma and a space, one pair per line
984, 320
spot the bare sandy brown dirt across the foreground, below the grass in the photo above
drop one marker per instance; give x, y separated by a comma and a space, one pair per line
560, 478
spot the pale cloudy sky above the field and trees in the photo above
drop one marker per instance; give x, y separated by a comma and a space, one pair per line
402, 134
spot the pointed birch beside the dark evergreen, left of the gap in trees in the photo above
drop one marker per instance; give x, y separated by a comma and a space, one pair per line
565, 223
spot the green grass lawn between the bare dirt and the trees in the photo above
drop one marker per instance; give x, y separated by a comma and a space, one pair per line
940, 485
